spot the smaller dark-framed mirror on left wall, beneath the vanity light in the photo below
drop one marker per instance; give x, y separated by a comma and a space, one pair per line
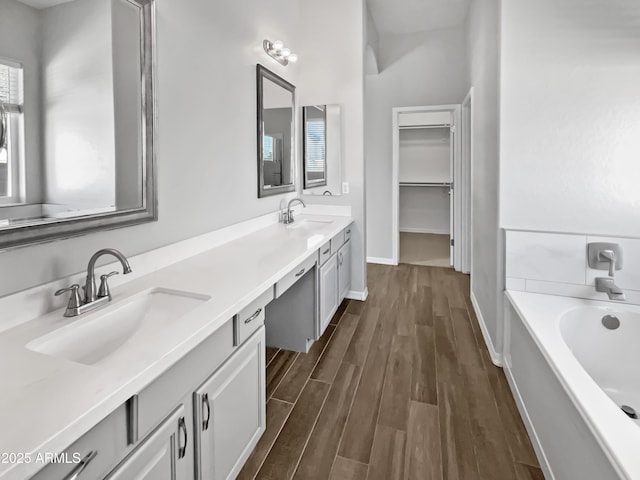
276, 134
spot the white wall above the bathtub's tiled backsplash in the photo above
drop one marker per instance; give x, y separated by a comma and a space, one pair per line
571, 116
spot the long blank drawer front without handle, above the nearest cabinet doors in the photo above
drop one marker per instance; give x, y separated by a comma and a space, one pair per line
167, 392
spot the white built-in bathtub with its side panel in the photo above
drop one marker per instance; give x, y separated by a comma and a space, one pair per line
570, 375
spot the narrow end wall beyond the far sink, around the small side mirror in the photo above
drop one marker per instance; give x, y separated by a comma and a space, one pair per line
331, 72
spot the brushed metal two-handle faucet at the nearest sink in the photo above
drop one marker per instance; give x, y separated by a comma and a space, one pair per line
93, 299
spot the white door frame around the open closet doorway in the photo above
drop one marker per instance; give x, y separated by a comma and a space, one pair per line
455, 110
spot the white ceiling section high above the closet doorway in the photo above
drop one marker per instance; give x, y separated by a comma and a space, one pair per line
412, 16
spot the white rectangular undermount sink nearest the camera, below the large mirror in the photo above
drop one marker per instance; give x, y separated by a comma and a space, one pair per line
95, 336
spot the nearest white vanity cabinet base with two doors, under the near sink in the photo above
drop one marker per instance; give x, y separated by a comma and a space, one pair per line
200, 419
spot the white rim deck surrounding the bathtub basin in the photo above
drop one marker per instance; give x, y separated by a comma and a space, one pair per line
617, 435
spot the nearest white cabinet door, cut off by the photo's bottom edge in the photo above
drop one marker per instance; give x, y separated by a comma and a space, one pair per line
161, 456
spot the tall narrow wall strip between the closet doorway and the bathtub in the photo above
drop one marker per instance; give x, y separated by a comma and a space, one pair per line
483, 24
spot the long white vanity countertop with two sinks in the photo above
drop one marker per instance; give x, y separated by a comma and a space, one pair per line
46, 403
